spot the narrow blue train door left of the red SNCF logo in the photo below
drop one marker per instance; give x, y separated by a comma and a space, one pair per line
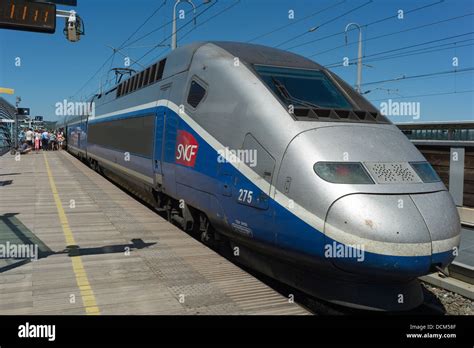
160, 135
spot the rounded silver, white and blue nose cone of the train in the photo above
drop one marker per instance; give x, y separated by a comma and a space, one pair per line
398, 236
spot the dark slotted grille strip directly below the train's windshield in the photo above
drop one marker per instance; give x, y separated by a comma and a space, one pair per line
322, 114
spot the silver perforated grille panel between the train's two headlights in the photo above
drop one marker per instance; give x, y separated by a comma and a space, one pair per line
392, 173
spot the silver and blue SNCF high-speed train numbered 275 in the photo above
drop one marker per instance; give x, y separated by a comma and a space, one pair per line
281, 161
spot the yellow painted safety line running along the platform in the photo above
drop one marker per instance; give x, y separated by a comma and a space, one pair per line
87, 294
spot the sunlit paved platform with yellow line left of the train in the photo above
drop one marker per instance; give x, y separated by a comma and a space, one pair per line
102, 252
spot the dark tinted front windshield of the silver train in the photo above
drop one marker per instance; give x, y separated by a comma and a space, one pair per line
302, 87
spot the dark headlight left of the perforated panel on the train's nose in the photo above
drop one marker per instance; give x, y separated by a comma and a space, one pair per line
343, 172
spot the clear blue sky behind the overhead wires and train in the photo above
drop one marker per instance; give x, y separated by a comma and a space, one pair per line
53, 69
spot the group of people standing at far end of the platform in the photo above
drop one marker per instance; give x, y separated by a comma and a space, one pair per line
40, 139
